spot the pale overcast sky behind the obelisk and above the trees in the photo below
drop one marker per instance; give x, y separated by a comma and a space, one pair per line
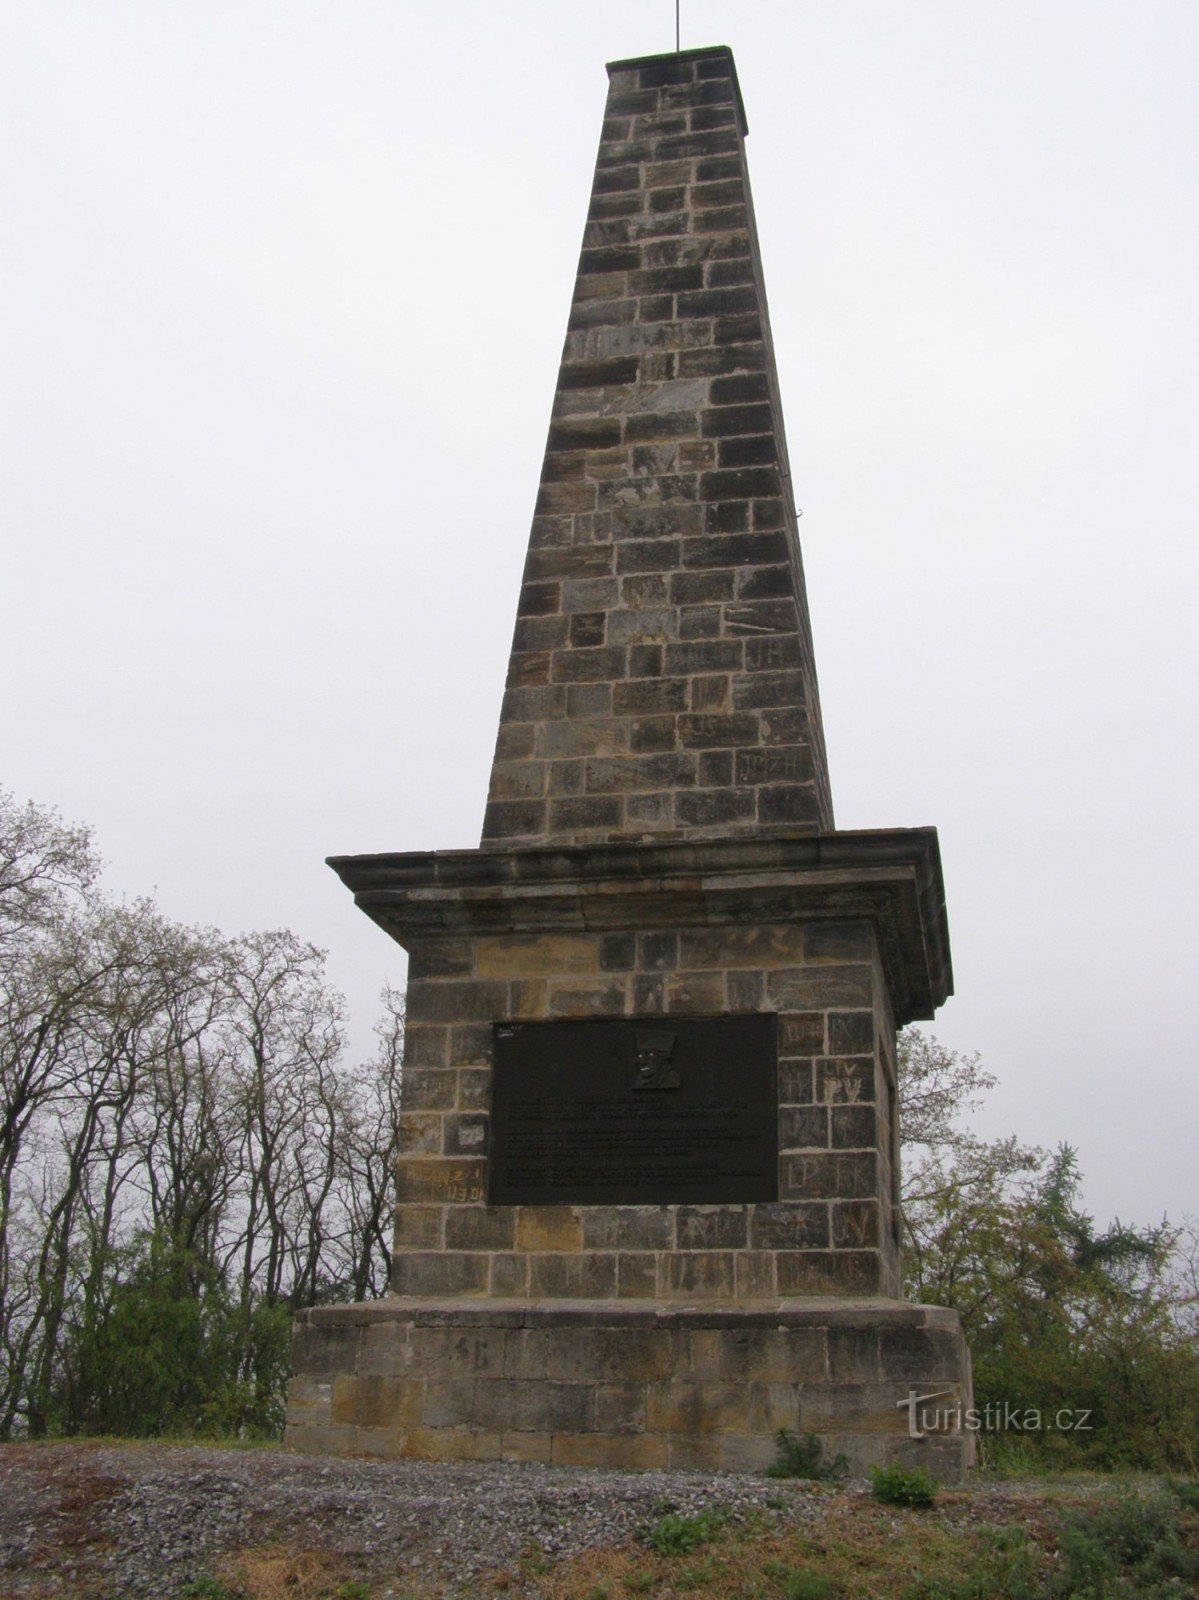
284, 295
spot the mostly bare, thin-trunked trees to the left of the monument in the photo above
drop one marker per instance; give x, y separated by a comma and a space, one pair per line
188, 1153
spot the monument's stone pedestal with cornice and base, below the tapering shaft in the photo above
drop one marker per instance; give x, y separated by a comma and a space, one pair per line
598, 1332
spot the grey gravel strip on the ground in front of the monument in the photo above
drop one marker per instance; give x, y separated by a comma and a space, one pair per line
114, 1522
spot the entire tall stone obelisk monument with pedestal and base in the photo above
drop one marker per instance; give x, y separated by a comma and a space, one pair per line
648, 1191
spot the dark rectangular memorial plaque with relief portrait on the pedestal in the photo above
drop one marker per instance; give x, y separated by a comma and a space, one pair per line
640, 1111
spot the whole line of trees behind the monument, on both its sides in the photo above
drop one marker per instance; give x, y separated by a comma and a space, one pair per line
190, 1154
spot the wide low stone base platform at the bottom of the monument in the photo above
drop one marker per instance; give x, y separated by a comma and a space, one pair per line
608, 1385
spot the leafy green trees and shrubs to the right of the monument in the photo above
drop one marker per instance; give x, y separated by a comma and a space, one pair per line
1061, 1316
